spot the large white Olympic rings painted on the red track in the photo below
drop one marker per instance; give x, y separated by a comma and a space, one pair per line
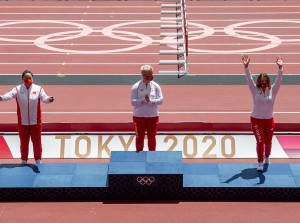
144, 40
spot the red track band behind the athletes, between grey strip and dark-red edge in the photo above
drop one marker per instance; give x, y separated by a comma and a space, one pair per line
206, 100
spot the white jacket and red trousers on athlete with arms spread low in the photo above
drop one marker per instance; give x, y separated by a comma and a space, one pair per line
29, 117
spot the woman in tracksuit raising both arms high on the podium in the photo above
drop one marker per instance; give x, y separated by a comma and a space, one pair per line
262, 122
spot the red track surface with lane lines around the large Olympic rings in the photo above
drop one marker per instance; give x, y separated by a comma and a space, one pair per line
99, 15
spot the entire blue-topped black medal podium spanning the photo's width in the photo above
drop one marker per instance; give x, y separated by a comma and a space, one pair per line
145, 175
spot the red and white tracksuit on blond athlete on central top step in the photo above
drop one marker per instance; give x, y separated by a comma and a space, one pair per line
145, 114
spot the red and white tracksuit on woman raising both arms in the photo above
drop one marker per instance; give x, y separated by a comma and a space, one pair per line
262, 122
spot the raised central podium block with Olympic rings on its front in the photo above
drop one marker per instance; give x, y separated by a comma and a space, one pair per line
145, 174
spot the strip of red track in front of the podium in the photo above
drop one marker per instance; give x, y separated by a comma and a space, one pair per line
163, 211
